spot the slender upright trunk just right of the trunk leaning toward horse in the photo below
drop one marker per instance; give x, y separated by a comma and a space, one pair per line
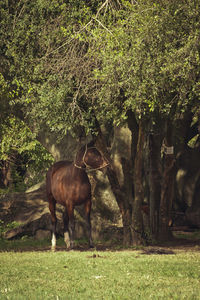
137, 220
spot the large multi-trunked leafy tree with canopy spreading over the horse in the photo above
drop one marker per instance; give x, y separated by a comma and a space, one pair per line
118, 63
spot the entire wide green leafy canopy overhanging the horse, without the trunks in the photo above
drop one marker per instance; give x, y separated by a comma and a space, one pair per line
103, 60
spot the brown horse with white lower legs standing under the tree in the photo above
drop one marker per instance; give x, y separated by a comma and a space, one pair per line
67, 183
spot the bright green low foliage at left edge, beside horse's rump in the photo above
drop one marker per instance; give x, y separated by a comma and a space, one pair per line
18, 146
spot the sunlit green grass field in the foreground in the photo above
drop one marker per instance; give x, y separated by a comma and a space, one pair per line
125, 274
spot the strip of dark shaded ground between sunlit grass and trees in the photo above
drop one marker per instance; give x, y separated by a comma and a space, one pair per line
180, 241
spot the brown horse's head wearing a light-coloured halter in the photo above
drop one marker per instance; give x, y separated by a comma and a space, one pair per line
90, 157
